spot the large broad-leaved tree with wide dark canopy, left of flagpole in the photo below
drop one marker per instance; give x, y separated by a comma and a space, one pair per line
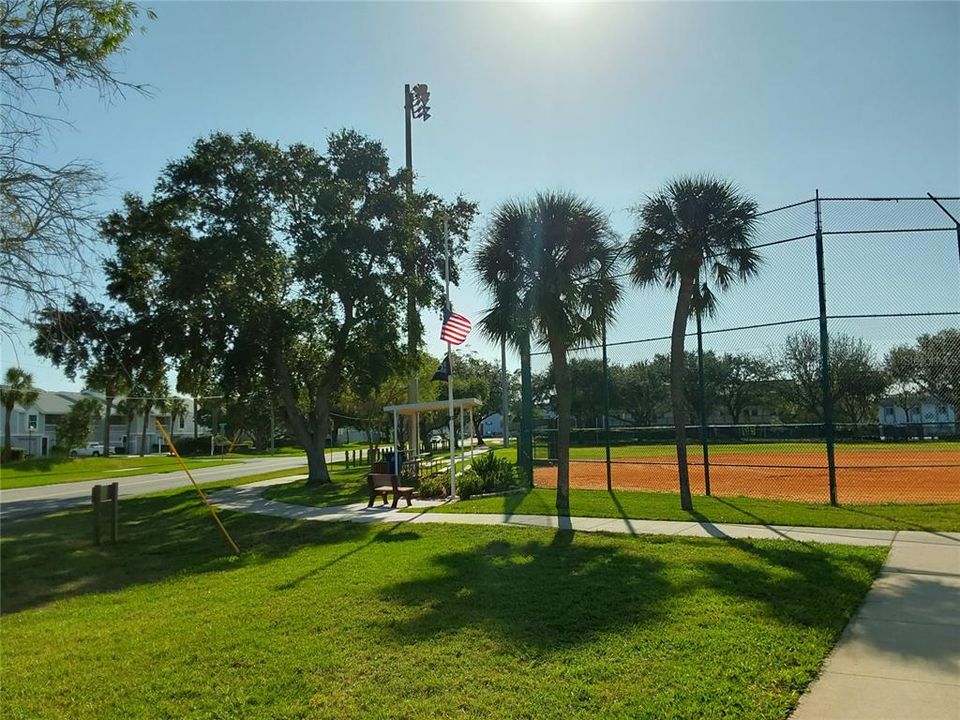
260, 262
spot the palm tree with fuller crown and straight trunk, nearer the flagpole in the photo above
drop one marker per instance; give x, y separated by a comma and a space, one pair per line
547, 264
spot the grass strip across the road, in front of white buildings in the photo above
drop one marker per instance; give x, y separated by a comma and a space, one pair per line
48, 471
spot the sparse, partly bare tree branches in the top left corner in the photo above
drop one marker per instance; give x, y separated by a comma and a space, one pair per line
48, 220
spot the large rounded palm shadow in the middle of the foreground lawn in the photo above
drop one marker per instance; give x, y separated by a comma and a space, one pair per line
532, 594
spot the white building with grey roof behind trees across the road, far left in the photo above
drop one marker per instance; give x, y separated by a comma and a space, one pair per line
34, 428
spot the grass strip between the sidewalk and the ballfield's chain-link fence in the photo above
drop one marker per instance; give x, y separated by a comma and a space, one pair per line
666, 506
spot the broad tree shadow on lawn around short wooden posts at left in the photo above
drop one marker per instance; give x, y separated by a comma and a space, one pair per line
49, 558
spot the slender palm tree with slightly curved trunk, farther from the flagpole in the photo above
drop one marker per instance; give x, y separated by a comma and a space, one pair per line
694, 232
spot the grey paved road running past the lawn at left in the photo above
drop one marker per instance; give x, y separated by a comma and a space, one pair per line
48, 498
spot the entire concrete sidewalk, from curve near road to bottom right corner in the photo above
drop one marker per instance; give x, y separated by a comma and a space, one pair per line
899, 658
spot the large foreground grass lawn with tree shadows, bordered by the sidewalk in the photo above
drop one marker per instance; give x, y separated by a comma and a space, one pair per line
337, 620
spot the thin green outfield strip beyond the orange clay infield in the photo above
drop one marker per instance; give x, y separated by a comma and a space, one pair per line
598, 452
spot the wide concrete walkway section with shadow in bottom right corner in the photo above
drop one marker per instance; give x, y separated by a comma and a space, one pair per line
900, 655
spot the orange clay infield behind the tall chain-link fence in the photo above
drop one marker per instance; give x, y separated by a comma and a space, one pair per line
863, 476
